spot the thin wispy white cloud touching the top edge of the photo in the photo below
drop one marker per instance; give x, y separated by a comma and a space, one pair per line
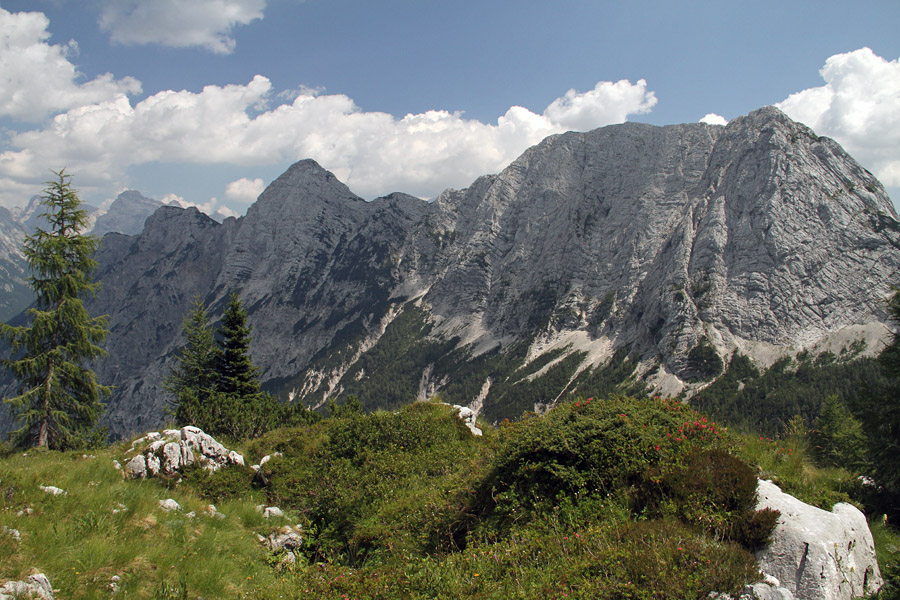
178, 23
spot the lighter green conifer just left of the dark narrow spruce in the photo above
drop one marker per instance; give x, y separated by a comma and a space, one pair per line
193, 379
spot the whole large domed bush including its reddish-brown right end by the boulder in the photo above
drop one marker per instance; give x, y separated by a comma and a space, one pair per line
675, 459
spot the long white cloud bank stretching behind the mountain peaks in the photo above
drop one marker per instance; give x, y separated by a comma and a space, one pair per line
373, 152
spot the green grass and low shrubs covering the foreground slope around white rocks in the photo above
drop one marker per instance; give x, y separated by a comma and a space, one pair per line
409, 505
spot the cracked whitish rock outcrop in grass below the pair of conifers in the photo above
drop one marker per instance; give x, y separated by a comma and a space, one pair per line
172, 450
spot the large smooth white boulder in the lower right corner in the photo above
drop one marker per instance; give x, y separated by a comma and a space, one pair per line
816, 554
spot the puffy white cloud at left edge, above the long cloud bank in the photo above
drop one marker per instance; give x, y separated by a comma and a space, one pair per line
37, 79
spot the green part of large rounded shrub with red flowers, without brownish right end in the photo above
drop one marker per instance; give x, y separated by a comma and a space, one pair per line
582, 448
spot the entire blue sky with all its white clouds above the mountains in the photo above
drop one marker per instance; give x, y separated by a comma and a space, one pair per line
207, 101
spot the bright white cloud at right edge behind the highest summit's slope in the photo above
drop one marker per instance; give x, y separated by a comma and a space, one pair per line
859, 106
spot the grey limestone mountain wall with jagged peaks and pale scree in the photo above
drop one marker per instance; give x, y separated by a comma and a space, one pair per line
677, 242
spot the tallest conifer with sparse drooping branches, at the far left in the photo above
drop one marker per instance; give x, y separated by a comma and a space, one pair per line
58, 399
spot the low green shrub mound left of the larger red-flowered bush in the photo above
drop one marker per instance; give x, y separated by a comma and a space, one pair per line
368, 484
